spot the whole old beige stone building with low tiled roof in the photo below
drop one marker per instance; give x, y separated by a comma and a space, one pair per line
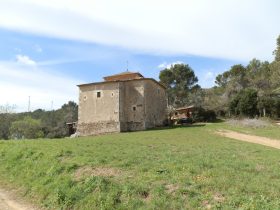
122, 102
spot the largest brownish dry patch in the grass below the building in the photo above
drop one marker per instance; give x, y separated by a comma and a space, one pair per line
88, 171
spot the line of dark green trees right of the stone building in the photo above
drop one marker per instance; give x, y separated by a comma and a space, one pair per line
241, 91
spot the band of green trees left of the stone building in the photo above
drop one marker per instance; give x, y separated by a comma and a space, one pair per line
50, 124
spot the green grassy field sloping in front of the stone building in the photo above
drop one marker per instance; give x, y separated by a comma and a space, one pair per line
178, 168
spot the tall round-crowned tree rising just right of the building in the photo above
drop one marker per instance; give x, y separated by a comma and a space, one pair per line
180, 80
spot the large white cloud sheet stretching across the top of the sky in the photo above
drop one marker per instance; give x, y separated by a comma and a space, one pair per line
233, 29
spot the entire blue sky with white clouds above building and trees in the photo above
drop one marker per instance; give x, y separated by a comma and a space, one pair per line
48, 47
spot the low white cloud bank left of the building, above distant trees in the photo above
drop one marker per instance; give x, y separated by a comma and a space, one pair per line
18, 82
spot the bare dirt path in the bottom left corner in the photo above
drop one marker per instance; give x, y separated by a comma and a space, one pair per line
8, 202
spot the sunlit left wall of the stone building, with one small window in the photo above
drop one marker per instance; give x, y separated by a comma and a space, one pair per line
98, 109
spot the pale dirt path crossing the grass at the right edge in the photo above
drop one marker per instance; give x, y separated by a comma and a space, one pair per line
250, 138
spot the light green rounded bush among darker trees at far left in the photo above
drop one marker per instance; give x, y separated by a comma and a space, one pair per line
28, 128
